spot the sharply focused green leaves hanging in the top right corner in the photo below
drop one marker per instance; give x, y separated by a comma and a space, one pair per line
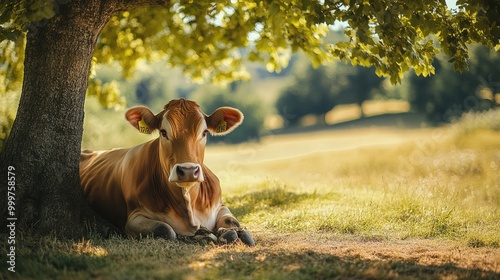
377, 28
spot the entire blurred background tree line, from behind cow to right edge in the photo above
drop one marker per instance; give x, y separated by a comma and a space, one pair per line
300, 90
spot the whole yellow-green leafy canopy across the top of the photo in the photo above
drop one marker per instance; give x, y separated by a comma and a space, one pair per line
211, 40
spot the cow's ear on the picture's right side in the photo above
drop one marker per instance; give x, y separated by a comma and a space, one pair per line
224, 120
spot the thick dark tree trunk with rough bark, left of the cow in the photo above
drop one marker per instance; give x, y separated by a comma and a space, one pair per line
44, 144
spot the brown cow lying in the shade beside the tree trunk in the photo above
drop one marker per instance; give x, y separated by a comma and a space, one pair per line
162, 187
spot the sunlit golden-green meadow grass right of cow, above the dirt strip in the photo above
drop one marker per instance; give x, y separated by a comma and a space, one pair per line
445, 187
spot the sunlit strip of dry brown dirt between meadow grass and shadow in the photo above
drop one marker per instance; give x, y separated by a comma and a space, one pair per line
417, 251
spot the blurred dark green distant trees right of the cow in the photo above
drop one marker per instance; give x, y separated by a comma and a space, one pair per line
442, 97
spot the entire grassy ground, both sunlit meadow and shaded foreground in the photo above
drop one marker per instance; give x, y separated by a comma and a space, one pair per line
422, 209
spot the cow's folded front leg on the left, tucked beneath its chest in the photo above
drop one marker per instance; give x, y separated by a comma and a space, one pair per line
138, 225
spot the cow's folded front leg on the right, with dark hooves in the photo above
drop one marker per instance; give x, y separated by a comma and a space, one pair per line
229, 229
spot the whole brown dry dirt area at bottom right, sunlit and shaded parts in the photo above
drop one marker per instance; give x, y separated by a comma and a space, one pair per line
320, 256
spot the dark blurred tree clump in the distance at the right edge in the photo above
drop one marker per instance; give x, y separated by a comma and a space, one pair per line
447, 95
